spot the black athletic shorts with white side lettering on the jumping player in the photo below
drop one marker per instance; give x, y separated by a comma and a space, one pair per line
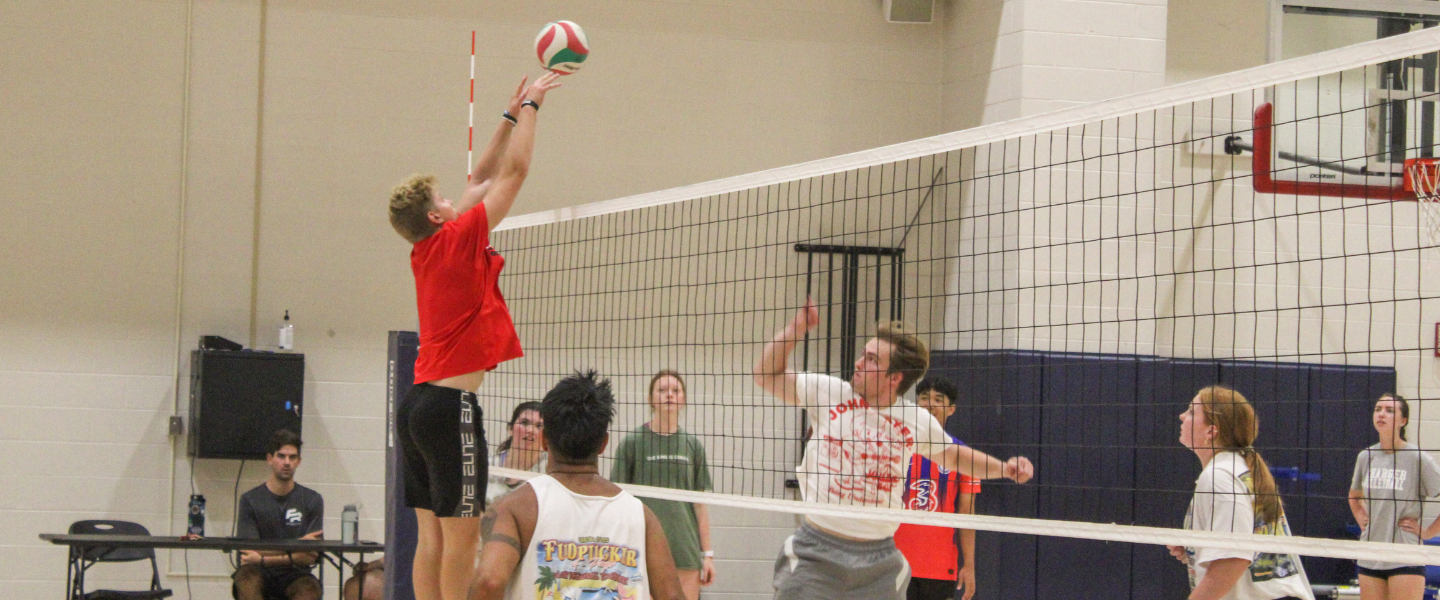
444, 448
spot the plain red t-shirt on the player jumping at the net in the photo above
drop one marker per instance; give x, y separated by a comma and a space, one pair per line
464, 322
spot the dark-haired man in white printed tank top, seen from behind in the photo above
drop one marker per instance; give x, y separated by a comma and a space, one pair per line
597, 540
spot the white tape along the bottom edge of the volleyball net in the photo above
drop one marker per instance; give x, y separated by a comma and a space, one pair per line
1135, 535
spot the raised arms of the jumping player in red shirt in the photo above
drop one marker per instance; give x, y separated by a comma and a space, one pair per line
499, 192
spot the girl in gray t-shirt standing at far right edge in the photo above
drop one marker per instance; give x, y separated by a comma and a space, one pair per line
1392, 481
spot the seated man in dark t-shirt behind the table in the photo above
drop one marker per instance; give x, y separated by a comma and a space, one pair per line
279, 510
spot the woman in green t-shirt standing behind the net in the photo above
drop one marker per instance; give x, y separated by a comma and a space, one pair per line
663, 455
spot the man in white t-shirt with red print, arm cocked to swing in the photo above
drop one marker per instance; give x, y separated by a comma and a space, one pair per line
865, 435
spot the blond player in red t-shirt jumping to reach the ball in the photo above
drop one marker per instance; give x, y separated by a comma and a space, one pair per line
466, 332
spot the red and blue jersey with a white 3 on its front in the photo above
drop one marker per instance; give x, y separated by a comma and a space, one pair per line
932, 550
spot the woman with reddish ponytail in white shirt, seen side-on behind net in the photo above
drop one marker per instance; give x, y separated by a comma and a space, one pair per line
1235, 494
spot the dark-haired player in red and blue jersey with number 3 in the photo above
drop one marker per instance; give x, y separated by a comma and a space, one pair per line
931, 550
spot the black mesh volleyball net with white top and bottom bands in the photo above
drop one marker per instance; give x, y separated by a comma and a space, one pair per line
1081, 276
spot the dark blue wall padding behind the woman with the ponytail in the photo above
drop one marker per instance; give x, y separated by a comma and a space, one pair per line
1104, 432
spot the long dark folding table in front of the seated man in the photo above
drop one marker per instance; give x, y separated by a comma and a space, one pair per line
332, 552
